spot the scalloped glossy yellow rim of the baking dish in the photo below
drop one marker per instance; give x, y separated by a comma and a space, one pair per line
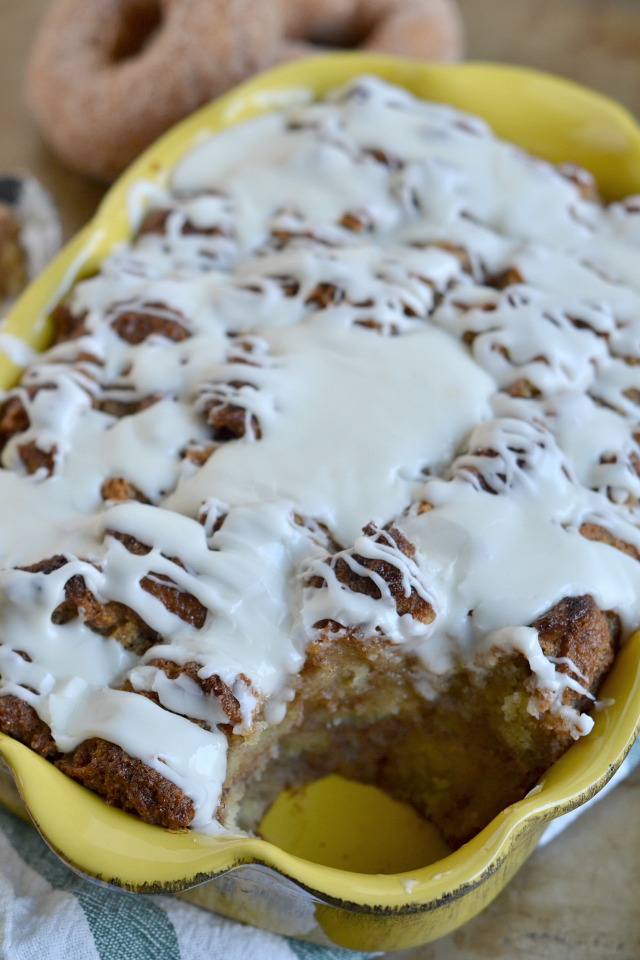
553, 117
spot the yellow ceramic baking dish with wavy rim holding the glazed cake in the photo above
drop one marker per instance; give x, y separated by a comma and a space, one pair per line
378, 883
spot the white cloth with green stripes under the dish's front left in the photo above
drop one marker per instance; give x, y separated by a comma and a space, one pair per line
47, 912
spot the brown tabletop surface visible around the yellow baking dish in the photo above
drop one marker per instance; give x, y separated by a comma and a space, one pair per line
577, 898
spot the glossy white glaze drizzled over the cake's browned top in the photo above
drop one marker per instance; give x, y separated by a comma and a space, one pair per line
334, 269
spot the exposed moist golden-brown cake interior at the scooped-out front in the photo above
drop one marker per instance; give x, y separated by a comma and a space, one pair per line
458, 757
